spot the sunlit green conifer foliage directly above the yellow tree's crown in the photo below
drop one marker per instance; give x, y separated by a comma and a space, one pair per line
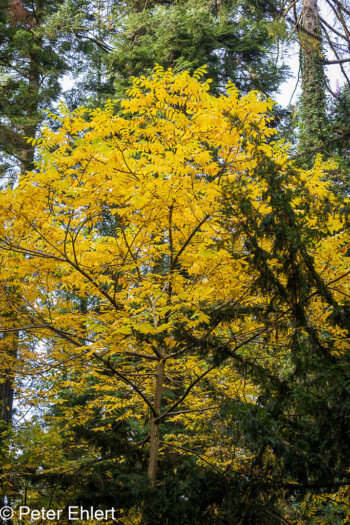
235, 39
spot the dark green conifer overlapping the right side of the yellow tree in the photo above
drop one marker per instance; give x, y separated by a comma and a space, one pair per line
303, 413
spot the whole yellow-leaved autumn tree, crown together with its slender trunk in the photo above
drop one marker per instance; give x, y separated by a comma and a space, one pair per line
163, 250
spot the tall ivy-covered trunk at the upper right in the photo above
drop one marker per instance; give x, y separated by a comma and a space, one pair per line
312, 113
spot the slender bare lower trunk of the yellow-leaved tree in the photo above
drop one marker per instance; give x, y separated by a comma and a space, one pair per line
154, 431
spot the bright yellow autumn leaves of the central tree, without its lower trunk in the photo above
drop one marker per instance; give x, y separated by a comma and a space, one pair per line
118, 251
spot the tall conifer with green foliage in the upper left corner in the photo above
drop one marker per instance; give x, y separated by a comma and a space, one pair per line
30, 68
